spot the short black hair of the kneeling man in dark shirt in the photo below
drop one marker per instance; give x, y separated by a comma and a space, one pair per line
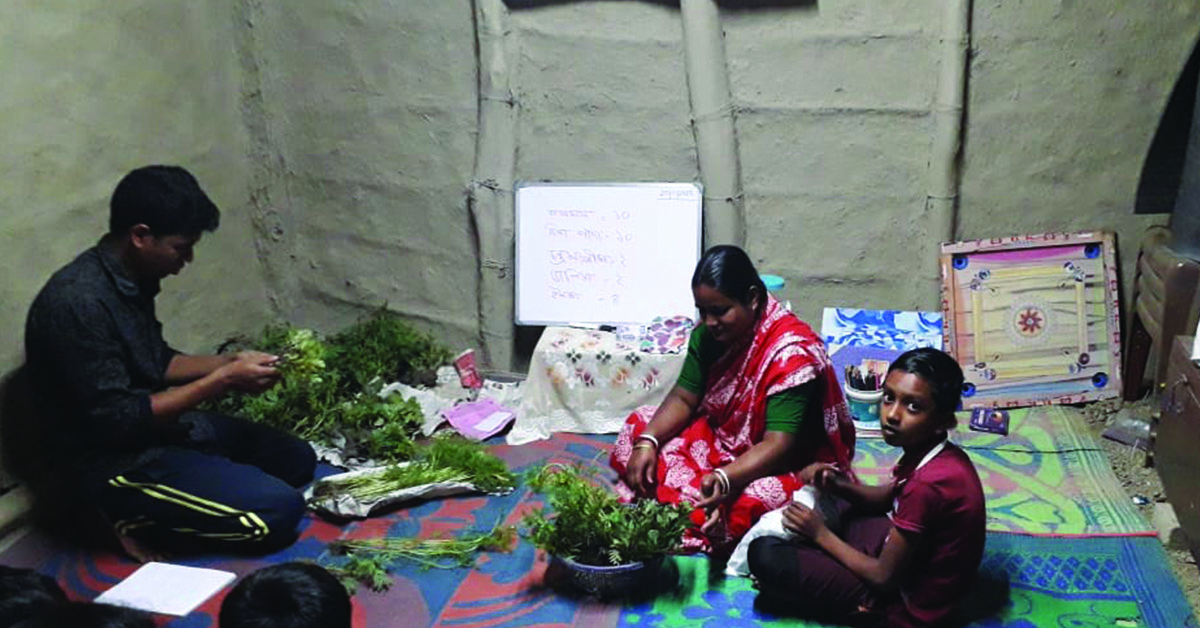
166, 199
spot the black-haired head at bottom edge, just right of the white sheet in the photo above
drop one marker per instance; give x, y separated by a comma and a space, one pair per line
287, 596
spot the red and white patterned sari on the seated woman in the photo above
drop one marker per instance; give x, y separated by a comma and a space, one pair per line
784, 354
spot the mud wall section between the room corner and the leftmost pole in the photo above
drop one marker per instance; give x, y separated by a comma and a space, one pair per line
370, 123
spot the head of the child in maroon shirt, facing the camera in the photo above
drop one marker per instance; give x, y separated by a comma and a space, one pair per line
922, 391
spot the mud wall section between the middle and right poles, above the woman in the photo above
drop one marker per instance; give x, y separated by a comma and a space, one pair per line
835, 129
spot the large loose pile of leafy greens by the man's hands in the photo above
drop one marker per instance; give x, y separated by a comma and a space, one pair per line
329, 392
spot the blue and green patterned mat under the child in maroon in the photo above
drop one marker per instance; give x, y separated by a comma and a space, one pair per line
1111, 582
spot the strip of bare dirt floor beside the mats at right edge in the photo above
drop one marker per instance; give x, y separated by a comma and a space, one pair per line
1144, 487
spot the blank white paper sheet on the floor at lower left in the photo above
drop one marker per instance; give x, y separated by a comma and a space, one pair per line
167, 589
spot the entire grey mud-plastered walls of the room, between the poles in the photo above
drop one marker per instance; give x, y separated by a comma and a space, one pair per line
339, 139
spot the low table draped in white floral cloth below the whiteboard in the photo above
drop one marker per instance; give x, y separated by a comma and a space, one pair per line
587, 381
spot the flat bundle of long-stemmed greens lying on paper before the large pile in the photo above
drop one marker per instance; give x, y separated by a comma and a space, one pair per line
447, 460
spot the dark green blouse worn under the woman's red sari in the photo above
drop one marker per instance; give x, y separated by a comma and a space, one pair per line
787, 411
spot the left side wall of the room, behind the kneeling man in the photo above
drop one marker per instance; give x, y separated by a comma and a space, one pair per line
93, 89
